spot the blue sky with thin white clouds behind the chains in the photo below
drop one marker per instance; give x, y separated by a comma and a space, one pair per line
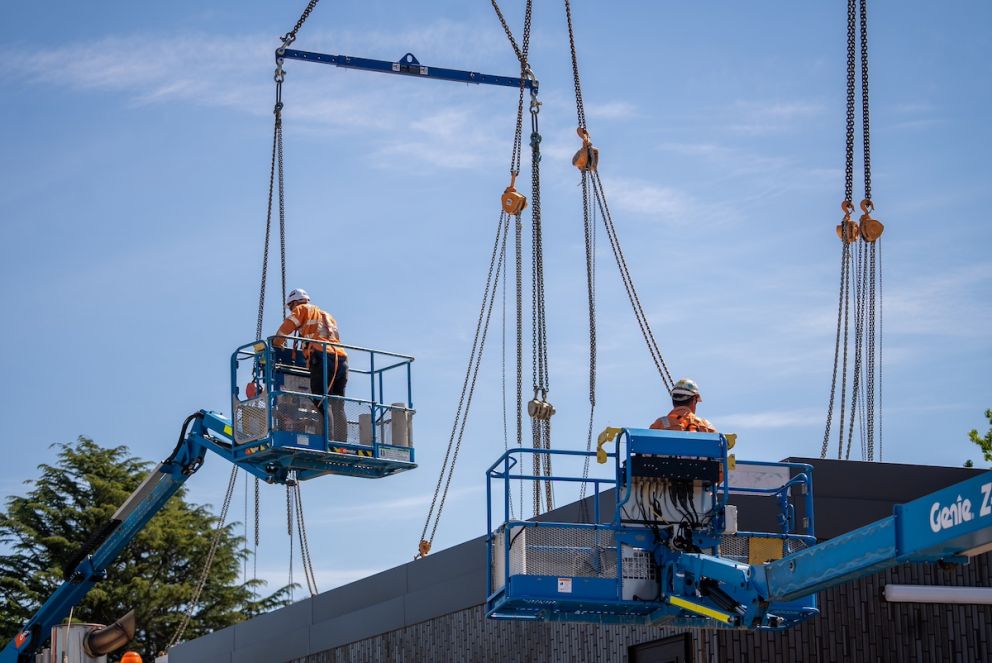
136, 141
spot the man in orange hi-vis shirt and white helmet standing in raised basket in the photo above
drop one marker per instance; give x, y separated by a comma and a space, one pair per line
313, 323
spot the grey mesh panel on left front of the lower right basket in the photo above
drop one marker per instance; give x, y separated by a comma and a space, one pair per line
563, 551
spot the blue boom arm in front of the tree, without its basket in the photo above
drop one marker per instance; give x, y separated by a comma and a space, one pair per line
202, 431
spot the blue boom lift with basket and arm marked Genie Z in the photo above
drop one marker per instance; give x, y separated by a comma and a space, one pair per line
671, 553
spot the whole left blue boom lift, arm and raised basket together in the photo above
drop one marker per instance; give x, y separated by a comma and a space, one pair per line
276, 434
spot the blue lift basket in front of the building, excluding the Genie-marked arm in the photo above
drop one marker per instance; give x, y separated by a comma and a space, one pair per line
669, 553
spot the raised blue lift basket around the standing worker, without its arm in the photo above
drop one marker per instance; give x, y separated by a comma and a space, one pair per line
280, 427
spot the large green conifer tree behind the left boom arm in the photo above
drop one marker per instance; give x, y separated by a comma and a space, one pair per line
156, 574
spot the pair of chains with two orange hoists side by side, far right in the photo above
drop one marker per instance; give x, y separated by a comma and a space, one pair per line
860, 273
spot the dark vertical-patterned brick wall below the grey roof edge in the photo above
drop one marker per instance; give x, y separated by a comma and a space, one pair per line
855, 626
